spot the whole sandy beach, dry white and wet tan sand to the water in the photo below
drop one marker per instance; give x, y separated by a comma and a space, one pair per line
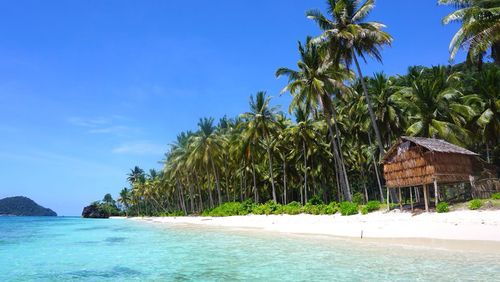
458, 230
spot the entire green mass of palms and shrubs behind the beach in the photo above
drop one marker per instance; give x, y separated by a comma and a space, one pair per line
326, 148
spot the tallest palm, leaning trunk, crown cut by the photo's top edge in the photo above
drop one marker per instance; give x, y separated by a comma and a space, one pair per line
348, 37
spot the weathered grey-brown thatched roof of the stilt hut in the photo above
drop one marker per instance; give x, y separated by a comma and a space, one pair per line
431, 144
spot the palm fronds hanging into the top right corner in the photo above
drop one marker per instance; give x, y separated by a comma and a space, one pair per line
479, 30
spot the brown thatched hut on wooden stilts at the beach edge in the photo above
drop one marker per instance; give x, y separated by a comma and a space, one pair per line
417, 161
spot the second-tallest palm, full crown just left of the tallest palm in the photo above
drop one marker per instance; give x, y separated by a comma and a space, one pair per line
311, 87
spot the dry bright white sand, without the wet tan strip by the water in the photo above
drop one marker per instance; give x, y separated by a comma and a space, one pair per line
458, 225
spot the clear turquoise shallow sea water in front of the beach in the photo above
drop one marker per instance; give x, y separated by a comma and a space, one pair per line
75, 249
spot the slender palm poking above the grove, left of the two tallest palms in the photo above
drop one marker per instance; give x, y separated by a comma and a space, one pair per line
260, 124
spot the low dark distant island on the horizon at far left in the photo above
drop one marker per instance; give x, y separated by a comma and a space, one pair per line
23, 206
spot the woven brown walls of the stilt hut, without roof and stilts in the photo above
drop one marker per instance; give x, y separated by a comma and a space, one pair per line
417, 167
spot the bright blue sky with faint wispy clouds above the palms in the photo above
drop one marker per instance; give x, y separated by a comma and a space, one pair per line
89, 89
